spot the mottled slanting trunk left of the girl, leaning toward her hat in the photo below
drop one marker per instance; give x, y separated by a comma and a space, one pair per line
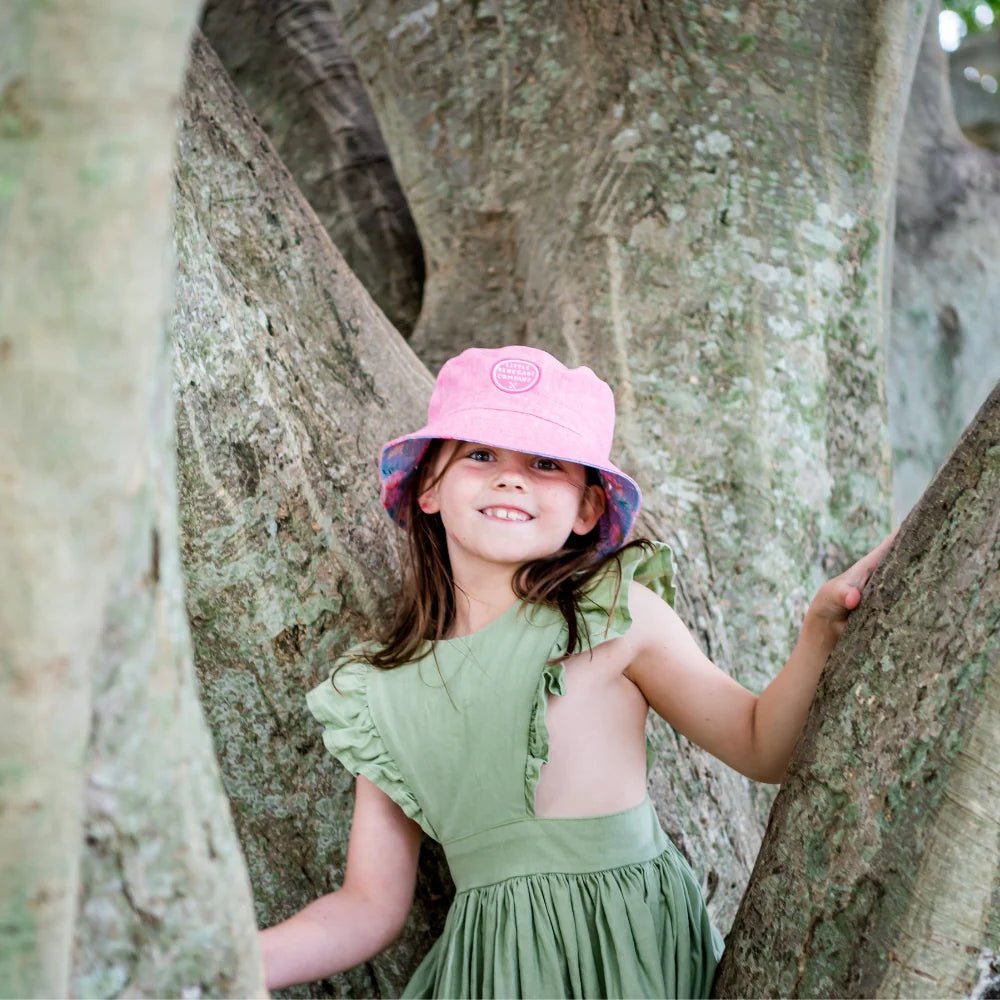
289, 379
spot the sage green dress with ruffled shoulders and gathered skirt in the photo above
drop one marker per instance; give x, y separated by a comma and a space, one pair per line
603, 906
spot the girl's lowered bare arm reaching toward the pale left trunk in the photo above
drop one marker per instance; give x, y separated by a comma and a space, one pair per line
346, 927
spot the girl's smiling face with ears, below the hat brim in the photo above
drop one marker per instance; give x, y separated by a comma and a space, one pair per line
507, 507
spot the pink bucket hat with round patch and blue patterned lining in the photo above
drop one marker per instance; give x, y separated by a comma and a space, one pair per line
521, 399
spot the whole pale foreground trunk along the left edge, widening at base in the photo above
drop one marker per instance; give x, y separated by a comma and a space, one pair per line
88, 529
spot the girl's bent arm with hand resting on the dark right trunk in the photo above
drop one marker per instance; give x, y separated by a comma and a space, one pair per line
754, 734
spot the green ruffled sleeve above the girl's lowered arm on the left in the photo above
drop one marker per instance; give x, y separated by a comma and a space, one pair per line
341, 704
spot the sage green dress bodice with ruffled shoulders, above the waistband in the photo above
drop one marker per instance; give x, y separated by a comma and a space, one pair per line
458, 737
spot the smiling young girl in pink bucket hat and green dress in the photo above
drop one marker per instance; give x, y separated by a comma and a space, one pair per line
503, 712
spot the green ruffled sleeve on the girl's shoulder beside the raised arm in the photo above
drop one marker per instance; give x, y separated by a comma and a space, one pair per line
605, 607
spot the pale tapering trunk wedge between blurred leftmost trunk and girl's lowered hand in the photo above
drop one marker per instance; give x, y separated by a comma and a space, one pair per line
165, 906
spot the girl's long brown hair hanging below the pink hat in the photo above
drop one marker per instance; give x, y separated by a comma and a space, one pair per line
425, 611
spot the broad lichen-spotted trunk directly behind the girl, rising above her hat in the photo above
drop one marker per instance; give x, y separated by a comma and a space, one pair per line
693, 199
